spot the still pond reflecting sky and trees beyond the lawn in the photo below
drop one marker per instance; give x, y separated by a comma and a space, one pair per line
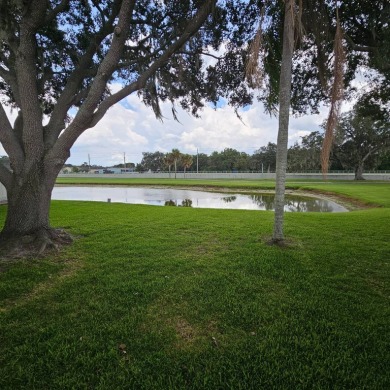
192, 198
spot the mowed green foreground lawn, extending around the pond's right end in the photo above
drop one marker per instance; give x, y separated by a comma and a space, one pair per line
178, 298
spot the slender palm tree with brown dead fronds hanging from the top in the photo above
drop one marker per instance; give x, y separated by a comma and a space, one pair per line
293, 14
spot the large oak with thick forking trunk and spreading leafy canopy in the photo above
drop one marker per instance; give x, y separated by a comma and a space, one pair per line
58, 58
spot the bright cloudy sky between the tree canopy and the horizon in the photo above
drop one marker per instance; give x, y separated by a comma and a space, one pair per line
129, 128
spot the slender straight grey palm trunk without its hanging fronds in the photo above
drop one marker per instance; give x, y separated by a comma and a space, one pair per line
284, 113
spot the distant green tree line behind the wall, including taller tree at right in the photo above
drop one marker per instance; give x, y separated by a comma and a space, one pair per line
362, 142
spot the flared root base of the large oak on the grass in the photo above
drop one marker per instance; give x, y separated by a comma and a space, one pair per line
33, 245
